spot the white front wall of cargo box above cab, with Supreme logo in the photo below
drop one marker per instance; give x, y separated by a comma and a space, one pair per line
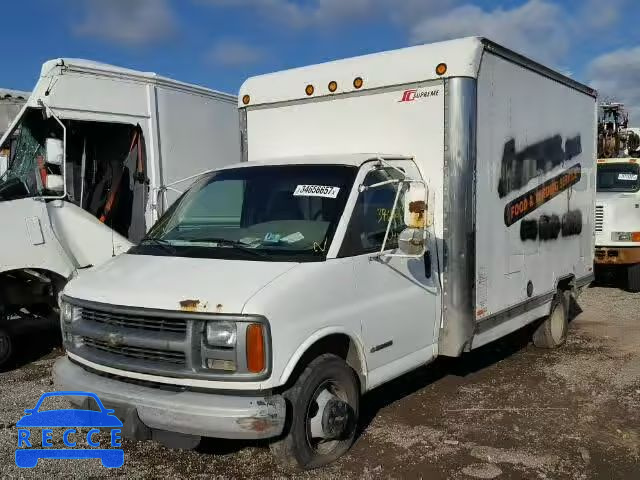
377, 122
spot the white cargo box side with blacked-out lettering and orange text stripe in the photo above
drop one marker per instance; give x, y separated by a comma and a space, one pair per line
535, 185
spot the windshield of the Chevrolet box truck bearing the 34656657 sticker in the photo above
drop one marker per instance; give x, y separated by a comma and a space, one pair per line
264, 213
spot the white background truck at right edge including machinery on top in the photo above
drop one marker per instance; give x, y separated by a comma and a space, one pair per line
618, 199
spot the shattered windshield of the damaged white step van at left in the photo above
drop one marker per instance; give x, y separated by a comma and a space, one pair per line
26, 166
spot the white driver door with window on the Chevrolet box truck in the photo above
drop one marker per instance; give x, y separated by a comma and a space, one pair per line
396, 297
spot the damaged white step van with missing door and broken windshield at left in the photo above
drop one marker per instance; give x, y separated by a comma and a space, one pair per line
96, 154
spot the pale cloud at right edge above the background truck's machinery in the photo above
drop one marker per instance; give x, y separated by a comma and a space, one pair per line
616, 76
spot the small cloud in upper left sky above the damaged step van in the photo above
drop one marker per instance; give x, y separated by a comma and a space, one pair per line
126, 22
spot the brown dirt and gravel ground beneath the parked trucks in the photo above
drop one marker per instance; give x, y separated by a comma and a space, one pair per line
509, 411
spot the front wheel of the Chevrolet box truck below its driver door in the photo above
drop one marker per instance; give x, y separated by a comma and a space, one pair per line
322, 412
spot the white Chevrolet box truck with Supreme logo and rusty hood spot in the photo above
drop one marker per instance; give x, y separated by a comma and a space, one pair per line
394, 207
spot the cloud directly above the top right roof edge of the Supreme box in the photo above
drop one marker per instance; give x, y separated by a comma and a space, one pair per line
537, 28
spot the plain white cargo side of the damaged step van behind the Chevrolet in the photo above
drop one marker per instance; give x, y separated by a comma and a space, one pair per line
196, 133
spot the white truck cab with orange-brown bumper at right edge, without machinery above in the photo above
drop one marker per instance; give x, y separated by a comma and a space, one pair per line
617, 223
